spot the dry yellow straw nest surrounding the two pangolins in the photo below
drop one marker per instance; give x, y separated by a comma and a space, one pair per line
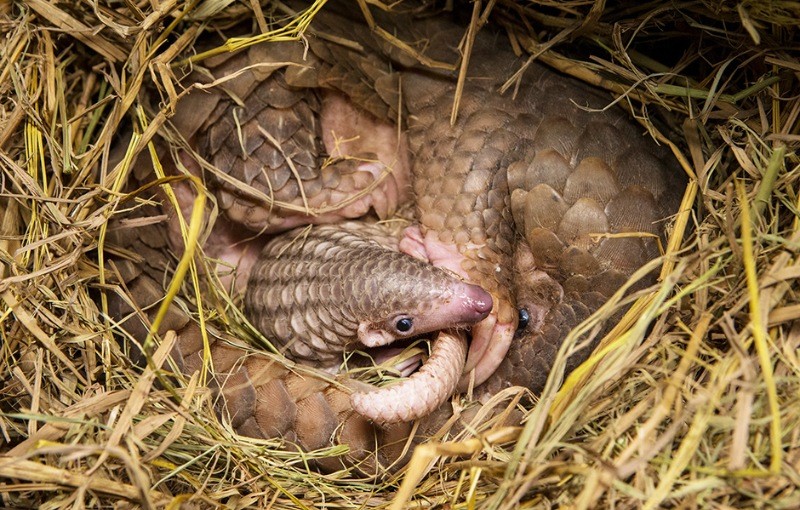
692, 401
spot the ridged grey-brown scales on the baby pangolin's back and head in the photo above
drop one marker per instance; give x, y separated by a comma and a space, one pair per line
311, 288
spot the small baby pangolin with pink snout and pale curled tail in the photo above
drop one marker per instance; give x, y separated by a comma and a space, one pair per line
322, 291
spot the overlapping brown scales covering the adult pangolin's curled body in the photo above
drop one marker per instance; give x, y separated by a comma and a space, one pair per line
520, 184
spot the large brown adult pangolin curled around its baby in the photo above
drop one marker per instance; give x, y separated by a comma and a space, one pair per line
527, 194
